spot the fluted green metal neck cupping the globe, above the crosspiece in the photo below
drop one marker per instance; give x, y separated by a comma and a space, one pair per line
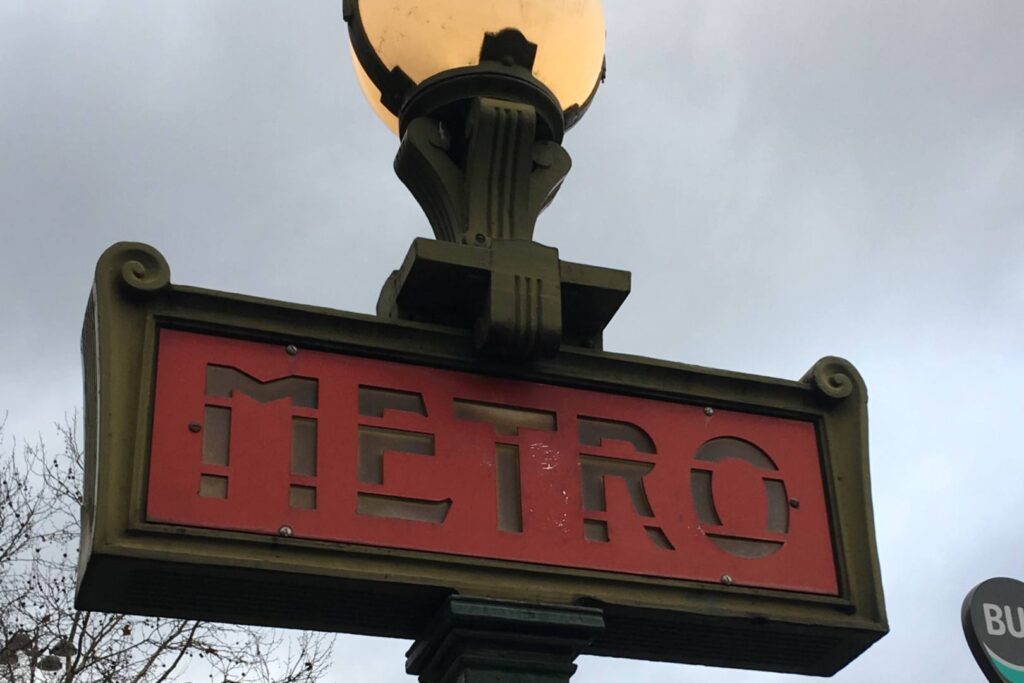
481, 146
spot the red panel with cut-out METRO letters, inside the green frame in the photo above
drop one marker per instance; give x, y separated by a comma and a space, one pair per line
328, 447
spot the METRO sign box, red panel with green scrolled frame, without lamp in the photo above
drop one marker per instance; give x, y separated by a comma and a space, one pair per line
260, 462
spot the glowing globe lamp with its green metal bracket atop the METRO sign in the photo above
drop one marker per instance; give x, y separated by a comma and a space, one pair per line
482, 95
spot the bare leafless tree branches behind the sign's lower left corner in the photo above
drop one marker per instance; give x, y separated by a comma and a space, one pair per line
45, 639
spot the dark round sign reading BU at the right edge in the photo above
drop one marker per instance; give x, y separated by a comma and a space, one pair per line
994, 624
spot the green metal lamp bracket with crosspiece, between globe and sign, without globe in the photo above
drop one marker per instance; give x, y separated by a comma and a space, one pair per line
481, 152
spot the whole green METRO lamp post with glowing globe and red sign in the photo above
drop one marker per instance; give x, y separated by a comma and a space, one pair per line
600, 503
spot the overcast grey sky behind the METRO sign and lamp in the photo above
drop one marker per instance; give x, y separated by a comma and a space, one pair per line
786, 181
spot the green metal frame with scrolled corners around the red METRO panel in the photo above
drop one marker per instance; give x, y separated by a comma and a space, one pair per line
129, 565
